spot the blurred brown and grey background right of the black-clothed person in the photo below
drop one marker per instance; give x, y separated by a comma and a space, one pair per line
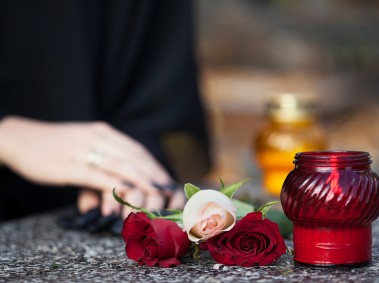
249, 49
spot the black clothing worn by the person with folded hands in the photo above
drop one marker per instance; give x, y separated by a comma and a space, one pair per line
129, 63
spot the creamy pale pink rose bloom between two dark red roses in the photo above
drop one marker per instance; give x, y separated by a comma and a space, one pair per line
208, 213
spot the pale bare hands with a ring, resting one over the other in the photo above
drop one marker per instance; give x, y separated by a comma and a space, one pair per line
93, 155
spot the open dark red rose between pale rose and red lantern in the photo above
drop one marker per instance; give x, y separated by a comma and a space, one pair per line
253, 241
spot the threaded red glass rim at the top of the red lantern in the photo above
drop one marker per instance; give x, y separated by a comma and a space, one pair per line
332, 157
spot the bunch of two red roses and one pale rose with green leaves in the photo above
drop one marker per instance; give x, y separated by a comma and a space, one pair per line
232, 231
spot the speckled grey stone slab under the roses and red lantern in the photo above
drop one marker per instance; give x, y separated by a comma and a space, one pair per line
35, 249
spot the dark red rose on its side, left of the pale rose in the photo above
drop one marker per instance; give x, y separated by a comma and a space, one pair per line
154, 242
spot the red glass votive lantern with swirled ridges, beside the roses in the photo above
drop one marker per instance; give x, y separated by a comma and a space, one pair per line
332, 197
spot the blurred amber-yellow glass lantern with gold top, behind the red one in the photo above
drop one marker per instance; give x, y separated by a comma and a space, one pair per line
292, 127
